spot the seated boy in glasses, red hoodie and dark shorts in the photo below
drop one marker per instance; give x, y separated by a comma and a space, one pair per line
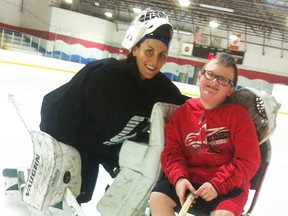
211, 148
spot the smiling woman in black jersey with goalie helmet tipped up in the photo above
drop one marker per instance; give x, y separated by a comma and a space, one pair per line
110, 100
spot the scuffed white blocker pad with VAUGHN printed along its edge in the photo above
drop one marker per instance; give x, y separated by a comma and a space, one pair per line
55, 167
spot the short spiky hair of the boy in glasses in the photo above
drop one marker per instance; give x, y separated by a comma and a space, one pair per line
228, 60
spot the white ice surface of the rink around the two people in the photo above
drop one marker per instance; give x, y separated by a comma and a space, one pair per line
29, 85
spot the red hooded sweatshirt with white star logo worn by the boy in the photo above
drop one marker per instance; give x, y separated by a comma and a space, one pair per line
219, 146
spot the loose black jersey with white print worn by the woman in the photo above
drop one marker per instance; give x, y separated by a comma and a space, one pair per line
105, 103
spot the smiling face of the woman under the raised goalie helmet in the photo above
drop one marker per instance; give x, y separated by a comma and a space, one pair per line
150, 56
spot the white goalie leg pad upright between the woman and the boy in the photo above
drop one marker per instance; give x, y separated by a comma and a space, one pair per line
140, 169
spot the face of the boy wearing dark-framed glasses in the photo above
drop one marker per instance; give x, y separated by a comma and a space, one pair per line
212, 94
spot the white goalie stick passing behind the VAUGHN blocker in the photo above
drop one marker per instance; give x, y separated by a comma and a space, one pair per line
68, 195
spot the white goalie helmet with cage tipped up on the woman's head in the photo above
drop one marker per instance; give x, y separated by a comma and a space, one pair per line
149, 24
